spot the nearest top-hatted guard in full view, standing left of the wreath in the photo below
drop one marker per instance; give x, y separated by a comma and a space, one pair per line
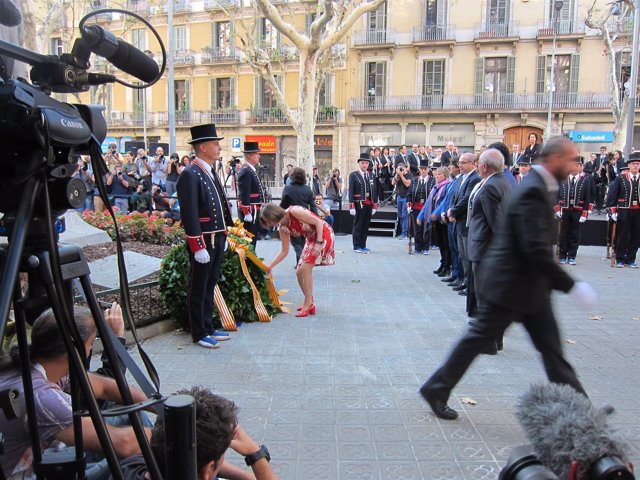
205, 216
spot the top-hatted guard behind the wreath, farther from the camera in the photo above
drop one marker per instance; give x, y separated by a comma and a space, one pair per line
251, 194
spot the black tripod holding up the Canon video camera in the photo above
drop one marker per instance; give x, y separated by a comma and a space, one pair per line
33, 249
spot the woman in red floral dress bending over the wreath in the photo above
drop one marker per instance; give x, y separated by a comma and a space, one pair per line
318, 248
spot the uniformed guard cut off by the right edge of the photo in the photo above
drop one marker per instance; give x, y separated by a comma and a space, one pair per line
624, 206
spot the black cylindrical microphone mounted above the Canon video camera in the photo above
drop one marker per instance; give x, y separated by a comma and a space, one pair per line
121, 54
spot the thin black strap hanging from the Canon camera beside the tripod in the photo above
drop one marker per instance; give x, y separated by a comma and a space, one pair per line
100, 169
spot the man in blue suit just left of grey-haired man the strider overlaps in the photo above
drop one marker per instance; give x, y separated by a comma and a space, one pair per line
458, 212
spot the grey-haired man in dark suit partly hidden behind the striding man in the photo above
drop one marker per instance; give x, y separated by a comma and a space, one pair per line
483, 217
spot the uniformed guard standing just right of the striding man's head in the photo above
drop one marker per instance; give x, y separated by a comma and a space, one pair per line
575, 202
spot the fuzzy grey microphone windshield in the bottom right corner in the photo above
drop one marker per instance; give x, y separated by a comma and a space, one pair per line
570, 436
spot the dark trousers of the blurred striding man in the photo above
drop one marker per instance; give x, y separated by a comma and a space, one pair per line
492, 321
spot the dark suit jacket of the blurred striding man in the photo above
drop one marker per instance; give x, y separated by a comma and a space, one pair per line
519, 270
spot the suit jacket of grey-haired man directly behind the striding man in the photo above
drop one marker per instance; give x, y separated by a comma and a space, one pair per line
485, 215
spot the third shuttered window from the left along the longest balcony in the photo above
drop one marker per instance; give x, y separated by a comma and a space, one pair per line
495, 79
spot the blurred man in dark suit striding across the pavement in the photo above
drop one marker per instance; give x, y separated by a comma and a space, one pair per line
520, 254
